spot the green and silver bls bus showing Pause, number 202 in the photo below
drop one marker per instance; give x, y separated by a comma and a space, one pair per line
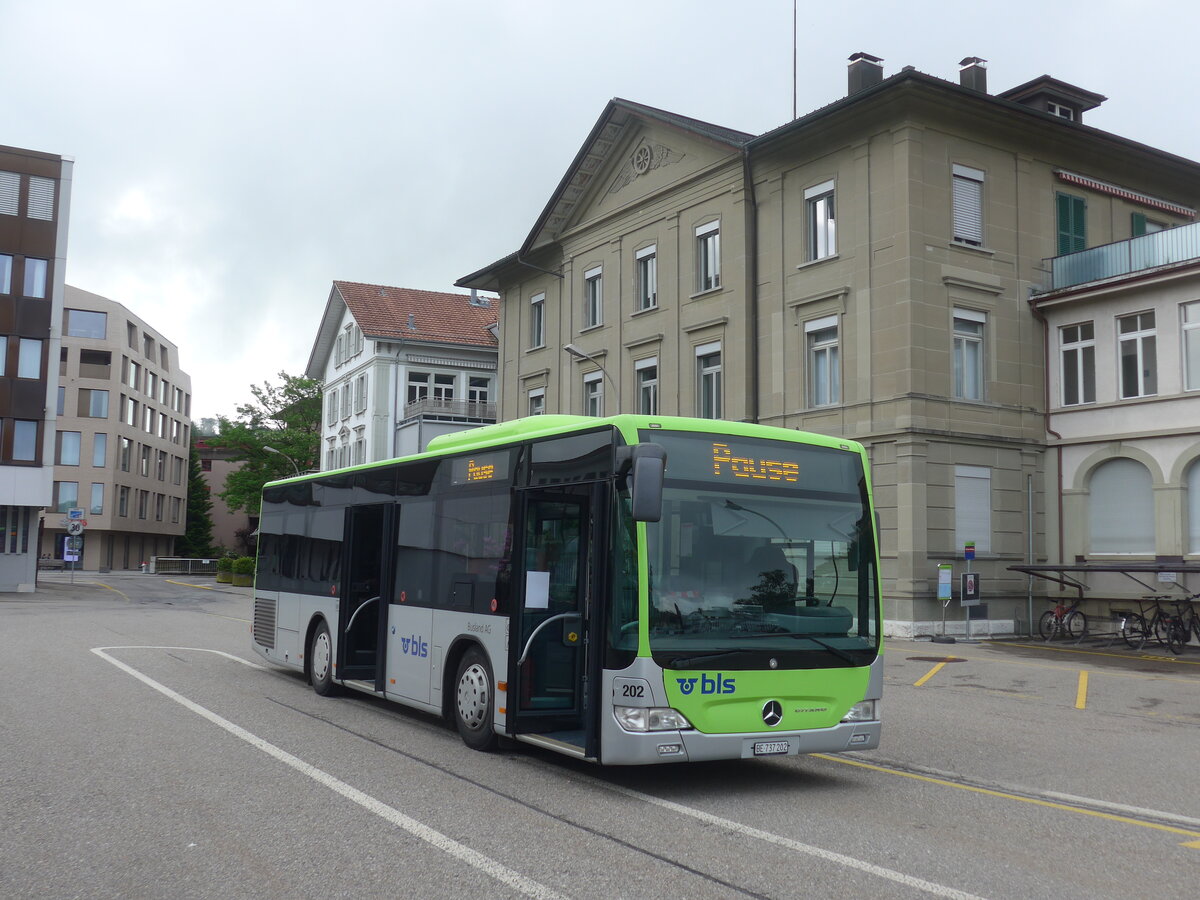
629, 590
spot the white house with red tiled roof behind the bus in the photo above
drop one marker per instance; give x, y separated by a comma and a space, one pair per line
401, 367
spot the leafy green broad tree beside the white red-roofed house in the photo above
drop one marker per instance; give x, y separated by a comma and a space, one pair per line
285, 417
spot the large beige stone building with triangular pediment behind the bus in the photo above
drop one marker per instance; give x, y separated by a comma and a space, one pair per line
865, 272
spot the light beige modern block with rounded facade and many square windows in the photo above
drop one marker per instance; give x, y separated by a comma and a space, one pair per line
124, 427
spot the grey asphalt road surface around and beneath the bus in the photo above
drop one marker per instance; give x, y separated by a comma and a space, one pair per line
175, 765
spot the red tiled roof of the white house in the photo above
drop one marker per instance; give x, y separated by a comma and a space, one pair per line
383, 313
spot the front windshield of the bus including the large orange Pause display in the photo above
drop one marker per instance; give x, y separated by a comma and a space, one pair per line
764, 557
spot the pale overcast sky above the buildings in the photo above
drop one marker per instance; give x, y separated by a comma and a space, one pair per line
235, 159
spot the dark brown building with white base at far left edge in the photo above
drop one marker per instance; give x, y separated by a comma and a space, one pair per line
35, 203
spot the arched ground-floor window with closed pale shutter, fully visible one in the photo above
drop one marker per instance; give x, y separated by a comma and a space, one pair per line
1123, 508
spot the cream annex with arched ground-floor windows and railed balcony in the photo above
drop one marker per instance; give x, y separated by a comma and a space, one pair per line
1124, 350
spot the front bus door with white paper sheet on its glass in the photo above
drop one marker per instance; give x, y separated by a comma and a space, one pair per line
549, 657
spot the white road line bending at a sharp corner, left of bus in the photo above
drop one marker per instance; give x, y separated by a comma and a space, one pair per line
447, 845
